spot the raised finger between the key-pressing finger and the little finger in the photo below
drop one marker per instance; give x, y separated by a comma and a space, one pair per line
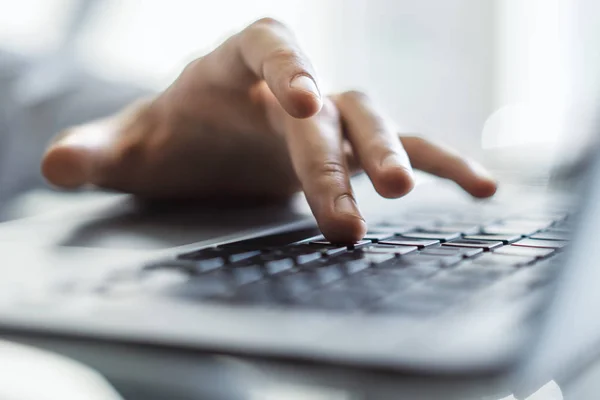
376, 145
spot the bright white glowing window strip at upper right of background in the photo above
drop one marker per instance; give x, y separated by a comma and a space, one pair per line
532, 71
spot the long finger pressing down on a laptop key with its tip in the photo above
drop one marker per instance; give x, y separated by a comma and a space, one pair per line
315, 146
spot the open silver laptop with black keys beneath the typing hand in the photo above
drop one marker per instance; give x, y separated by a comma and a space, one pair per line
441, 285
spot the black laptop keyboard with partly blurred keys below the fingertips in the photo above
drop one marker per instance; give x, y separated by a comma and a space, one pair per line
420, 266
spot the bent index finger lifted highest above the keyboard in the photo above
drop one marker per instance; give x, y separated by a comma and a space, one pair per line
270, 52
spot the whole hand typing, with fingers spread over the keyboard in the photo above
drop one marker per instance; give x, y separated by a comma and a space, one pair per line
248, 120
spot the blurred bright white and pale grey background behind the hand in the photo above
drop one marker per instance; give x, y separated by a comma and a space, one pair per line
482, 76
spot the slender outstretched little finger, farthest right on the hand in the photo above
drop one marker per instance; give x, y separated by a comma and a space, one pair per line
446, 163
